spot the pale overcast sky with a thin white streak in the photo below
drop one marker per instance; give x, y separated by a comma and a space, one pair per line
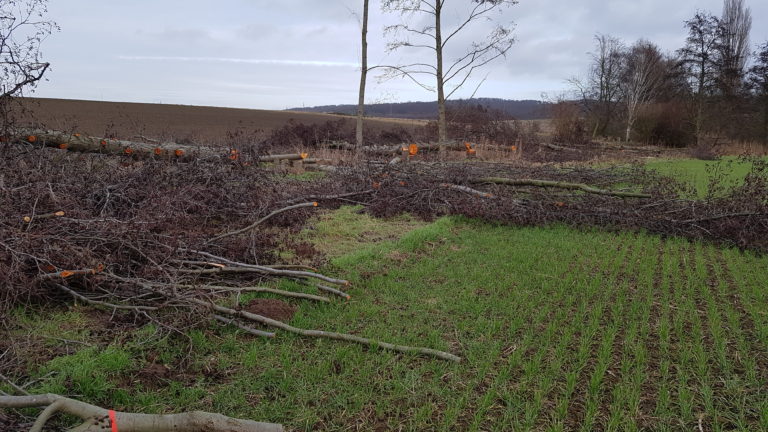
293, 53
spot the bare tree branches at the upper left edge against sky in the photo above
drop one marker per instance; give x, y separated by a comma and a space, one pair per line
23, 27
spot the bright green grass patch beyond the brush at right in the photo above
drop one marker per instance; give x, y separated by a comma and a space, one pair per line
727, 172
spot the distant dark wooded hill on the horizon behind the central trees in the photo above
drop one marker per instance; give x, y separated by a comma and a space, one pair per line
519, 109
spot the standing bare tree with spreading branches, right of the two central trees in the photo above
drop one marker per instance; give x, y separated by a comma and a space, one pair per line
433, 37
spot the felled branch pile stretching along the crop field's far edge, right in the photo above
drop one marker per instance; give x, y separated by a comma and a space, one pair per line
613, 198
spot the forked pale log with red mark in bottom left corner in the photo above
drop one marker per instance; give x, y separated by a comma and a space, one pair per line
97, 419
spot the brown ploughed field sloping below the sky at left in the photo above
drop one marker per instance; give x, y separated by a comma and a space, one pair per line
198, 124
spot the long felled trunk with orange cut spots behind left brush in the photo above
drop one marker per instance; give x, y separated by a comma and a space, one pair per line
89, 144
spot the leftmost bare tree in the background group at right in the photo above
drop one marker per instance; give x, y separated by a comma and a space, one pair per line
600, 91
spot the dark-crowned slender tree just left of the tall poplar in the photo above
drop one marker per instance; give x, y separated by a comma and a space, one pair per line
701, 61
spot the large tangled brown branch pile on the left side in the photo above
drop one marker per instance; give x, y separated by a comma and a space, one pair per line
169, 241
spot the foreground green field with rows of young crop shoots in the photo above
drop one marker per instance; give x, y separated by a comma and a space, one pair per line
559, 329
